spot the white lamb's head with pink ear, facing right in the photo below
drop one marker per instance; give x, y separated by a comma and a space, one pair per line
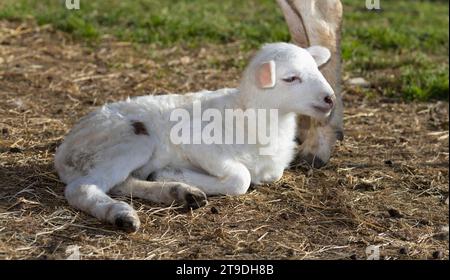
286, 77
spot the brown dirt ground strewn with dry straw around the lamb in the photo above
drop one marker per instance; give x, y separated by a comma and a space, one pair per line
386, 185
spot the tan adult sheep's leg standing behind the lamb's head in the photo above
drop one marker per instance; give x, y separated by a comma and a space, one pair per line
318, 22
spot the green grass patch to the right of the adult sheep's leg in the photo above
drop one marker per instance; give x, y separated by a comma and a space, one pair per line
403, 49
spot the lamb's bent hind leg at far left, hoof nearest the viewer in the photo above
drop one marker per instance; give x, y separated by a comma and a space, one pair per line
88, 193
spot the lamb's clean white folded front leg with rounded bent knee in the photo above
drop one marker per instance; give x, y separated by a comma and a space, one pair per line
231, 178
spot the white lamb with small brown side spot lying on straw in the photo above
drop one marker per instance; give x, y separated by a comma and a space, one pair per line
116, 148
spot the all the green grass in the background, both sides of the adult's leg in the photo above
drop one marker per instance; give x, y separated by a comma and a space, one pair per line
402, 50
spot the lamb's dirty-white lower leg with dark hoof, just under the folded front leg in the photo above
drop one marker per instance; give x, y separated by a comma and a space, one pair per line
162, 192
